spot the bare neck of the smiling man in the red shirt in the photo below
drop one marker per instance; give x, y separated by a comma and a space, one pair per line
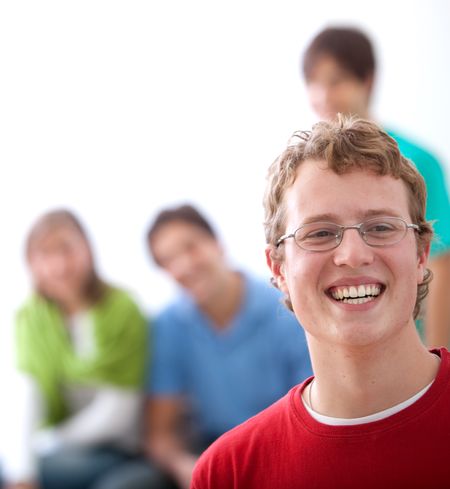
352, 384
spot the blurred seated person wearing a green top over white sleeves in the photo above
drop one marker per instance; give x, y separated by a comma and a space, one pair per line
81, 347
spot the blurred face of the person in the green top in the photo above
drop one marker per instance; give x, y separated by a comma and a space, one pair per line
61, 265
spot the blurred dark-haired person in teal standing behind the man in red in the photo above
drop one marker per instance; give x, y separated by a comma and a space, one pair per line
339, 69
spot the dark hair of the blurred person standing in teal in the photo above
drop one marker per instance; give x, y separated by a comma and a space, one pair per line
350, 47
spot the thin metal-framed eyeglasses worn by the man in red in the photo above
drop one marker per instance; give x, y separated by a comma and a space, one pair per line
324, 236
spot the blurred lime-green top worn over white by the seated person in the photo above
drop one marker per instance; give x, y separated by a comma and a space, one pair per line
45, 351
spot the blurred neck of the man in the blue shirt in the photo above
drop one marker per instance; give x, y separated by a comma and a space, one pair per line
225, 303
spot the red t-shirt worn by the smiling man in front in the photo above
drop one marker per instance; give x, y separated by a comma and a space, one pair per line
283, 447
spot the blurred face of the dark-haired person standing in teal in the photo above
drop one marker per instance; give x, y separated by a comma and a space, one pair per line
332, 89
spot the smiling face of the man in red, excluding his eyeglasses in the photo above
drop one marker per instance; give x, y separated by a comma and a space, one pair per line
353, 294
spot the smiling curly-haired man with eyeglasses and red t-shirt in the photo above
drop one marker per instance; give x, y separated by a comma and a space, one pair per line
347, 244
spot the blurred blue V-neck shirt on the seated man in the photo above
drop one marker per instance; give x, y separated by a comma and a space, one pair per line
229, 374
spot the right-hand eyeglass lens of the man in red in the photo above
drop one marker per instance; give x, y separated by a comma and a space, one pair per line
384, 231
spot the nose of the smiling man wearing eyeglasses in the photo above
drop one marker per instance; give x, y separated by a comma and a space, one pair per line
353, 251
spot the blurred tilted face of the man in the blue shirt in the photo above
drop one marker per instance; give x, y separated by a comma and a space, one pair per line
191, 257
